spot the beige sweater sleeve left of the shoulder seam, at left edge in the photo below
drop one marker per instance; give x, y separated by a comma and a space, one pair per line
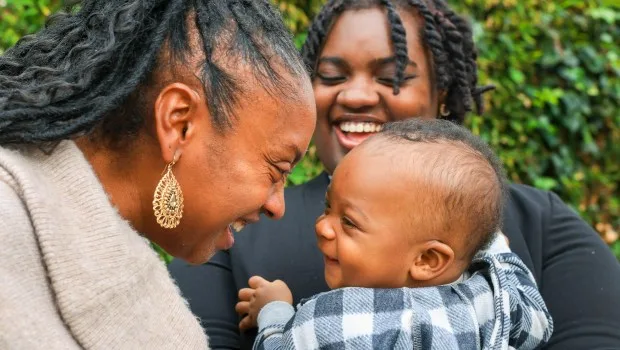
25, 296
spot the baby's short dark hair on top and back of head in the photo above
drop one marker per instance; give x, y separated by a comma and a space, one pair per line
475, 181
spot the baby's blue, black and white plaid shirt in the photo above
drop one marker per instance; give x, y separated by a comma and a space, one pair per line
498, 307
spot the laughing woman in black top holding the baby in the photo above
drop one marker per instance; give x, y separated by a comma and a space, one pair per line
374, 61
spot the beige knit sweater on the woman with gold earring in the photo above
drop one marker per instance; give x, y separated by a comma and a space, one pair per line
73, 273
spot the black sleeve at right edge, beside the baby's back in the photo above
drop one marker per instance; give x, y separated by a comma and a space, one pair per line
580, 283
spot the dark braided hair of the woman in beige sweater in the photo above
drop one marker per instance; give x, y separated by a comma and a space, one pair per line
89, 70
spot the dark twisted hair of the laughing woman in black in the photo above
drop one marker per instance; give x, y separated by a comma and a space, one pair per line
446, 35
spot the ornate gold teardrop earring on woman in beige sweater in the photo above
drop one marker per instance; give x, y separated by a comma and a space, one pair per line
168, 199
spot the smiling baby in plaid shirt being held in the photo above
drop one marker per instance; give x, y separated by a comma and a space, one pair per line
412, 254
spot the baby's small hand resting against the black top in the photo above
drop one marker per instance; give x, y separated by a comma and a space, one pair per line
260, 293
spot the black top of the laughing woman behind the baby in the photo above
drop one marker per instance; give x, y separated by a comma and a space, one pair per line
578, 276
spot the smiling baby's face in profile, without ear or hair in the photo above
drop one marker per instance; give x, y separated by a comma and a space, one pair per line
368, 232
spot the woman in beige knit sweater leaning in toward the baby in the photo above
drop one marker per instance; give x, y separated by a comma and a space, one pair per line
172, 120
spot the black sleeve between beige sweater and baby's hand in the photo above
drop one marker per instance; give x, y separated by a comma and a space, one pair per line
211, 291
